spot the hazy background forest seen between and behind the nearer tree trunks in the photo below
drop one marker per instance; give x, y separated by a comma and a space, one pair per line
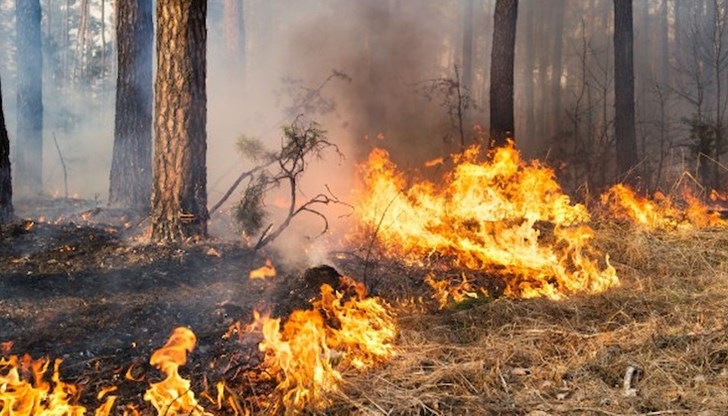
402, 71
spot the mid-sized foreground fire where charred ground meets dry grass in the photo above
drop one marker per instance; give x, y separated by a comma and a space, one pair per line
314, 346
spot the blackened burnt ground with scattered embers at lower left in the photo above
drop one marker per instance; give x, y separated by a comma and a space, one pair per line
76, 283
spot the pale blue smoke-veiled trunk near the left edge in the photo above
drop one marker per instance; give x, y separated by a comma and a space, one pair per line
29, 162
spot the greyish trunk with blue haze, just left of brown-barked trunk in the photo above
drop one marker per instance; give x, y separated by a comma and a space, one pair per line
131, 165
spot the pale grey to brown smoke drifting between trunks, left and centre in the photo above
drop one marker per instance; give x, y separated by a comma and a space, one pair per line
387, 54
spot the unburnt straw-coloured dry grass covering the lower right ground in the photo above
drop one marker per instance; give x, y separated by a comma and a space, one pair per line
540, 357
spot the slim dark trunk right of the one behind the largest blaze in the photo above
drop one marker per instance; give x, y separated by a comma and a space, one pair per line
624, 128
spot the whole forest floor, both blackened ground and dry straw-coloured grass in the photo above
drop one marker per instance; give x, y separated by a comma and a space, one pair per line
76, 284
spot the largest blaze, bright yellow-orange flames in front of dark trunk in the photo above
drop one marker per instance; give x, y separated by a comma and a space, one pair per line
499, 215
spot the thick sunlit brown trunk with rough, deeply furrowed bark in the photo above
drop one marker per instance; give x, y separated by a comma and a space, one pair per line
179, 189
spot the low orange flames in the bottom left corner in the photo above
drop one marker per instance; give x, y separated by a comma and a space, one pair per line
35, 396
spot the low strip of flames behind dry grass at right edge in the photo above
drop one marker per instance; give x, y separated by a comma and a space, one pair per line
660, 212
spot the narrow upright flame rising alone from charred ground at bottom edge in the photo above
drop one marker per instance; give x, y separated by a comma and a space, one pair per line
173, 396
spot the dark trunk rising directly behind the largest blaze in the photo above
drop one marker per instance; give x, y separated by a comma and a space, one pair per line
501, 71
